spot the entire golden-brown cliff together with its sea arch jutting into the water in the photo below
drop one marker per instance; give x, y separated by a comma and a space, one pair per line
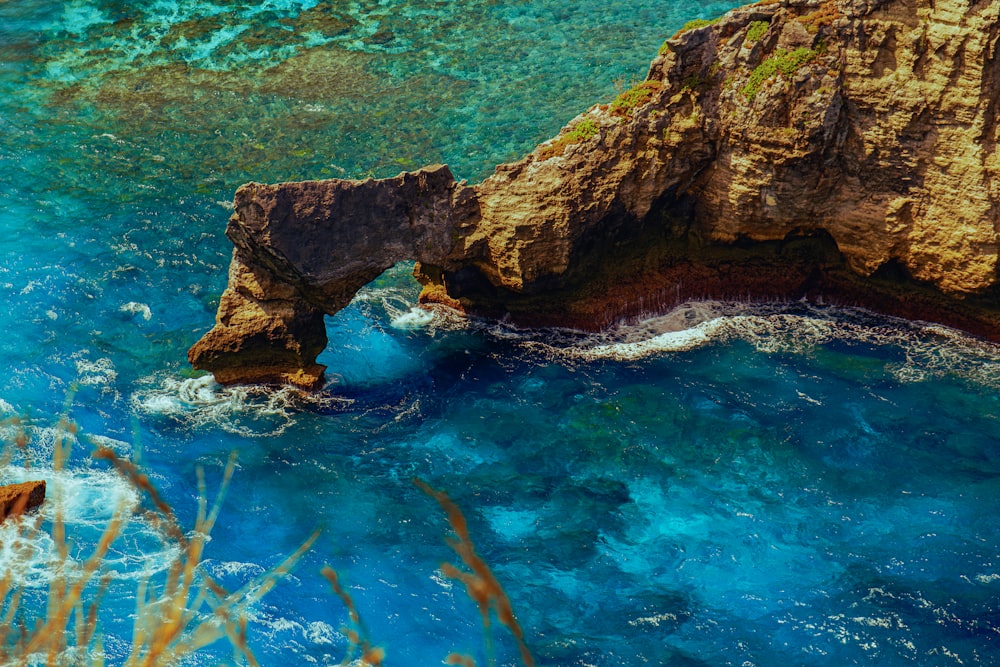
836, 149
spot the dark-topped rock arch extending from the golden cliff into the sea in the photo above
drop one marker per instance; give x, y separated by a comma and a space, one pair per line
305, 249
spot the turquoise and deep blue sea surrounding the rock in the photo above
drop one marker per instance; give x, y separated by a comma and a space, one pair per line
727, 484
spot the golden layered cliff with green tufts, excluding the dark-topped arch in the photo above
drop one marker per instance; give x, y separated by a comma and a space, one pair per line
869, 128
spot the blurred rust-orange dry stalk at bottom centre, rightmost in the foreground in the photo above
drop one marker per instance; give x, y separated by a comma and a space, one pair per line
480, 582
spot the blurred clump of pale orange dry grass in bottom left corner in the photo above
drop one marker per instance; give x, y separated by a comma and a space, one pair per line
187, 612
